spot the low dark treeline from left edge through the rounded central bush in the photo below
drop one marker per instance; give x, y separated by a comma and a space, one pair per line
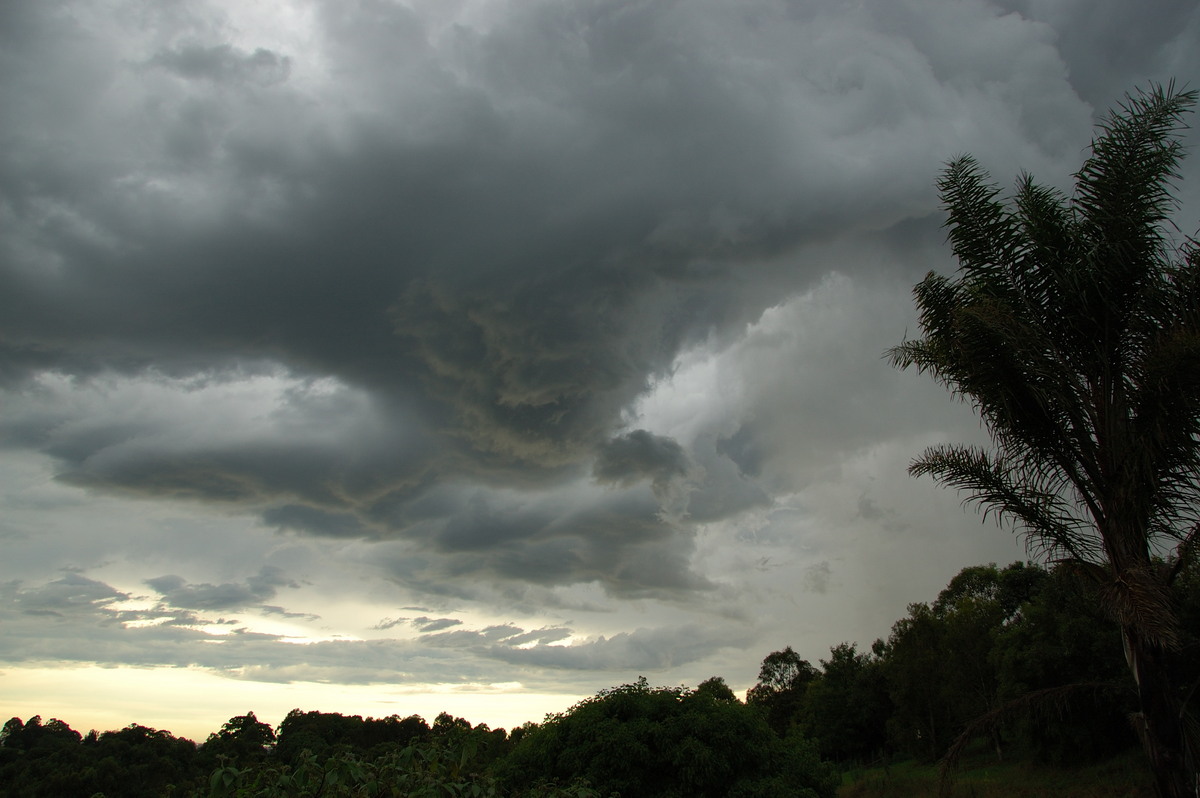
631, 741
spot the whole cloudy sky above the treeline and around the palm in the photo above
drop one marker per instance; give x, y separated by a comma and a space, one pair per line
389, 357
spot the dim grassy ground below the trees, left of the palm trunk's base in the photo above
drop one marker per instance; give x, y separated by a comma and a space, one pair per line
980, 778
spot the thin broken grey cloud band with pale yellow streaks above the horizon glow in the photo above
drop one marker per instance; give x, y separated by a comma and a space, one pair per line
73, 620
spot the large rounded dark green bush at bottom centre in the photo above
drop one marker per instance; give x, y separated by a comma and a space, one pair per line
670, 742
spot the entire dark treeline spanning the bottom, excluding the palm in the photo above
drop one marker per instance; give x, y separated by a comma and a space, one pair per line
1019, 659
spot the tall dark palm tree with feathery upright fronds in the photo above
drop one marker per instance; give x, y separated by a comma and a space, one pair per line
1073, 327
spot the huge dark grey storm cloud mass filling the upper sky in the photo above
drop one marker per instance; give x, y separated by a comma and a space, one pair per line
449, 255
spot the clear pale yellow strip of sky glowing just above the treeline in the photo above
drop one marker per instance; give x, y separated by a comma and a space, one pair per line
194, 704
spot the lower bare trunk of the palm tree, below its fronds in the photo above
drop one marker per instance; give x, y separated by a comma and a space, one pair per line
1160, 721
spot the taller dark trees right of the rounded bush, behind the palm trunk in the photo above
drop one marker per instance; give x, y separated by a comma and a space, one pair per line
1021, 659
